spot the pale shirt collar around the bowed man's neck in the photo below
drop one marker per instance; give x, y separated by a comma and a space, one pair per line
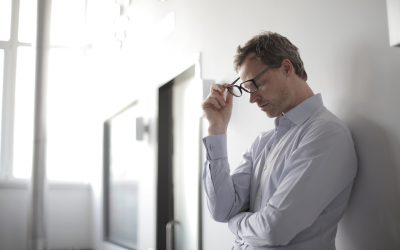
304, 110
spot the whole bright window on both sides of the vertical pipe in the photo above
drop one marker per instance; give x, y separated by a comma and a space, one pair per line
66, 59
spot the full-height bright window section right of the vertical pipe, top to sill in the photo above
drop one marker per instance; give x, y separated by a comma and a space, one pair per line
65, 139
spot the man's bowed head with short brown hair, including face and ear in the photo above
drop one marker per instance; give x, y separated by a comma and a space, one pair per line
270, 66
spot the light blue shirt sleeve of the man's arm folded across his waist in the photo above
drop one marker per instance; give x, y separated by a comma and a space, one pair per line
323, 165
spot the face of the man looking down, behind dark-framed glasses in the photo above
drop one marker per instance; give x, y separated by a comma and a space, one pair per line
273, 95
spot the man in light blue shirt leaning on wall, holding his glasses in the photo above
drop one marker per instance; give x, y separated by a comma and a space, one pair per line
294, 182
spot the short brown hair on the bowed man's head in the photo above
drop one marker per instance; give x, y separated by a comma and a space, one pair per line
272, 49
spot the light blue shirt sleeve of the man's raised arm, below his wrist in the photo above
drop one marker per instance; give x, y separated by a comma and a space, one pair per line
226, 194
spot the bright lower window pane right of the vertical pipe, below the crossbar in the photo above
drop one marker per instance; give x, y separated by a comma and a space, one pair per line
68, 147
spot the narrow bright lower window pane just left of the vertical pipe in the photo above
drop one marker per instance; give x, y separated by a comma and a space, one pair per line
23, 117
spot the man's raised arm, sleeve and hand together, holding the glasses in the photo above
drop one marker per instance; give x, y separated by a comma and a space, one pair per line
226, 195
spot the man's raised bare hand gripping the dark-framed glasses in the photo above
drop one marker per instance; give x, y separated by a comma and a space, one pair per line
218, 109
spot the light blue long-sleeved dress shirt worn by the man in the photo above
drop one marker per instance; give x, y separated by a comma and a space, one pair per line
292, 186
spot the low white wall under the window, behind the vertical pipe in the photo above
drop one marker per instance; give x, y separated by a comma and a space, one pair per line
68, 217
